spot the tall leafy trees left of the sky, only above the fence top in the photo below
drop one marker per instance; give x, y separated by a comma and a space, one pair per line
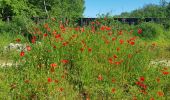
41, 8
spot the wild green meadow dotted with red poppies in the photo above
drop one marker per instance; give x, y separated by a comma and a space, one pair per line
96, 62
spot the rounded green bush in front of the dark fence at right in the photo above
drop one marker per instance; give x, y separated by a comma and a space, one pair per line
150, 30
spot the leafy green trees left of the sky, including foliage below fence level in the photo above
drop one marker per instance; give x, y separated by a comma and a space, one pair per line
18, 15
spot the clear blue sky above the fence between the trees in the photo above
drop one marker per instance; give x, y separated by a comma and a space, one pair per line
94, 7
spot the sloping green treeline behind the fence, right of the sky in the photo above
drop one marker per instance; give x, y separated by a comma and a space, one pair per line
151, 10
